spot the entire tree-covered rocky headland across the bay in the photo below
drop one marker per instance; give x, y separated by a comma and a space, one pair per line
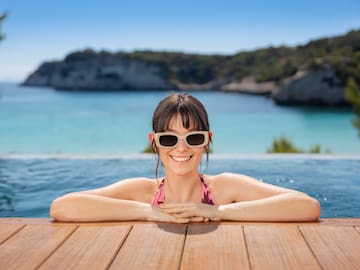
314, 73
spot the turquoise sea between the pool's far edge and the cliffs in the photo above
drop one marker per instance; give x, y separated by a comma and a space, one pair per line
42, 120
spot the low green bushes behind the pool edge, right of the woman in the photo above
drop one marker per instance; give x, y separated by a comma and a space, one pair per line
284, 145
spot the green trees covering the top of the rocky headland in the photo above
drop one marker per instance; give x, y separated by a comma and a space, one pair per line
341, 53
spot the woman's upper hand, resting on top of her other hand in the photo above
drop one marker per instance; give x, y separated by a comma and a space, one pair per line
192, 211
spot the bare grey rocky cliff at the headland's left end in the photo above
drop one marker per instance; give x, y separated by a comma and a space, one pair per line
98, 72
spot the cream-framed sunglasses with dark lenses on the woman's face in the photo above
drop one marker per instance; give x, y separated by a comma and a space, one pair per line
171, 139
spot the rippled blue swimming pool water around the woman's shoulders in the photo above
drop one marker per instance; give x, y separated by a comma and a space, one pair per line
28, 183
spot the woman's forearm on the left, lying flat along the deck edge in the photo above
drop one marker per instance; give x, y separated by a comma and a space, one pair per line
80, 207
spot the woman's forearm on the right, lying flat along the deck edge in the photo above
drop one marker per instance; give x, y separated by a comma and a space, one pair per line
283, 207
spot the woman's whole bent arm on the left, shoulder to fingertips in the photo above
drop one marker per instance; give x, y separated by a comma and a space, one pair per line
122, 201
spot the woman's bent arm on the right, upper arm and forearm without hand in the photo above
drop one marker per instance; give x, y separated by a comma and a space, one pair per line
258, 201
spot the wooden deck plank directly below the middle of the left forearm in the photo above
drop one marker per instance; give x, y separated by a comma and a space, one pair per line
89, 247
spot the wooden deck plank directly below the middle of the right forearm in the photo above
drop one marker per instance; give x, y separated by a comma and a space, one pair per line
278, 247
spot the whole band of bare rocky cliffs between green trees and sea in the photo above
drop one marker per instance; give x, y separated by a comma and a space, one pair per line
321, 87
